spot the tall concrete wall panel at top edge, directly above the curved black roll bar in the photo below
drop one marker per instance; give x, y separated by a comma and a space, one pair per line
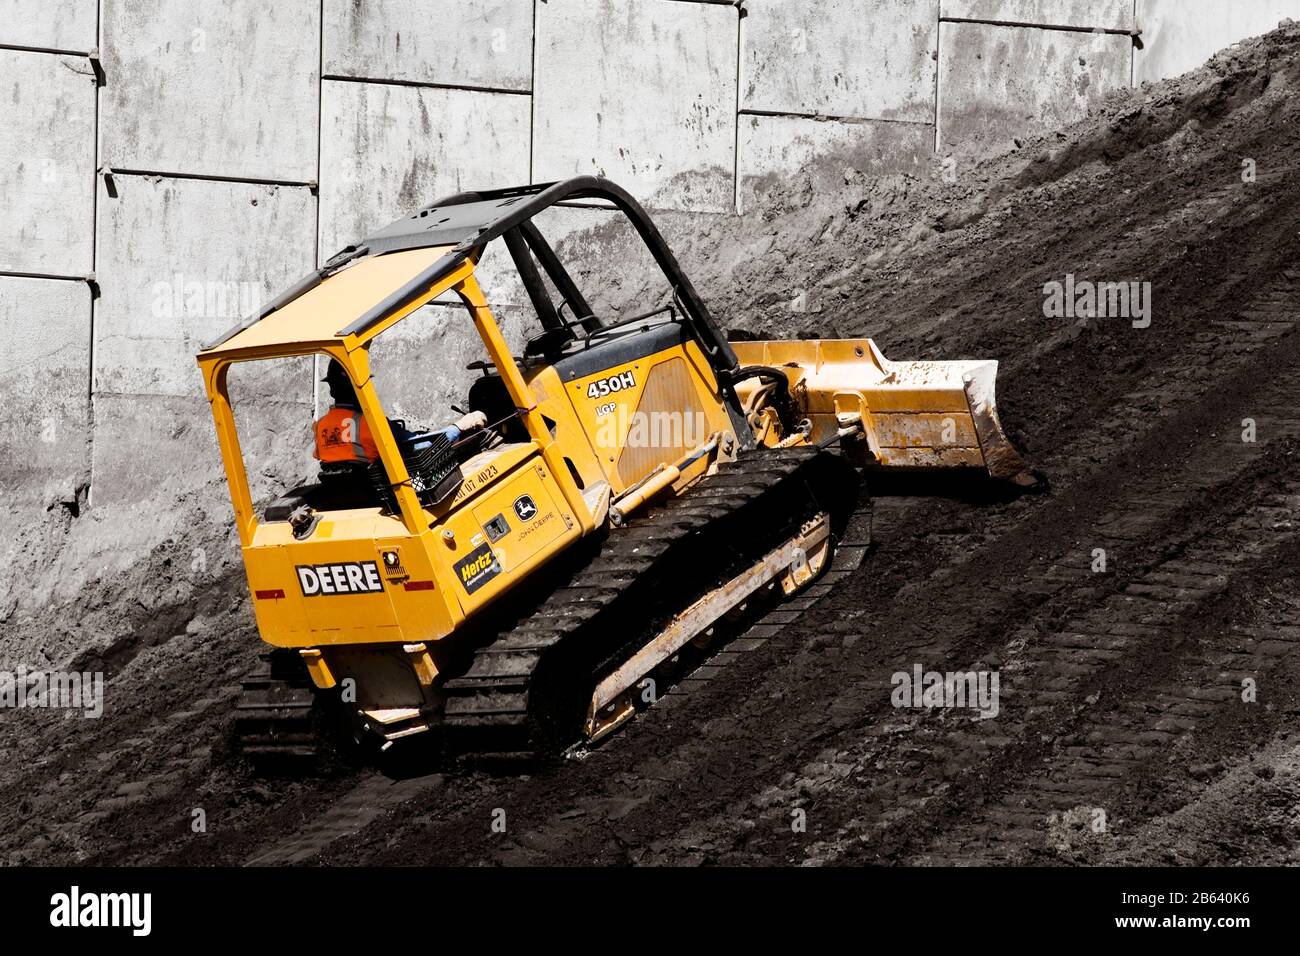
643, 92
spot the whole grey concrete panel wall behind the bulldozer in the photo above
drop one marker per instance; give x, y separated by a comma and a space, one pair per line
167, 165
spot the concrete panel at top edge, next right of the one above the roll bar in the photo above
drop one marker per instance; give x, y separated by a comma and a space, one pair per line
865, 59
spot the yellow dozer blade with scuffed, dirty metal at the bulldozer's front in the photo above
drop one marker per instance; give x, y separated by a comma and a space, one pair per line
916, 416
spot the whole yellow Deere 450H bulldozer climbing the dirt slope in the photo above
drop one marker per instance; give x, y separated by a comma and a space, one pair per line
609, 501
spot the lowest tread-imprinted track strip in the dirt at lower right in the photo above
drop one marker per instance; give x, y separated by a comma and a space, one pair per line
1147, 752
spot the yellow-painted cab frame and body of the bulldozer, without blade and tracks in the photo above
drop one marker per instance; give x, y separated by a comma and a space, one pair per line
427, 600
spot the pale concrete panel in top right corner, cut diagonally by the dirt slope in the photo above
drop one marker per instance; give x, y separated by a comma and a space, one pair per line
1180, 36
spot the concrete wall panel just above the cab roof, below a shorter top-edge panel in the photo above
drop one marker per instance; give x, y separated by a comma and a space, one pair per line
389, 150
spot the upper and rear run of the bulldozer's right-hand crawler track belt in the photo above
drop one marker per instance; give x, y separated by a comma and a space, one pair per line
523, 693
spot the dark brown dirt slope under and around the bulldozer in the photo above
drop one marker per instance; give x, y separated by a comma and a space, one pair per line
1123, 693
